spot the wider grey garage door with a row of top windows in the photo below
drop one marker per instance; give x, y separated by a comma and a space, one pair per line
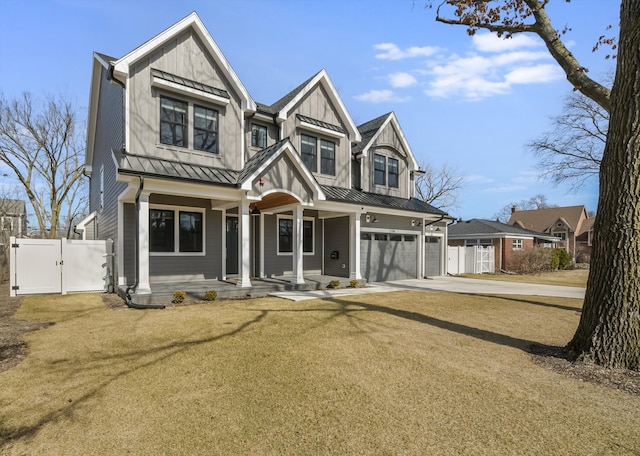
388, 256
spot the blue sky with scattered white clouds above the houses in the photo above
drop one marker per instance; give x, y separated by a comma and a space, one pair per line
471, 102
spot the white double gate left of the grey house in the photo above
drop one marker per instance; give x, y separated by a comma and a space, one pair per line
59, 266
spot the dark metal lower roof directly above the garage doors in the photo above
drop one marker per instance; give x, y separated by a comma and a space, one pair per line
346, 195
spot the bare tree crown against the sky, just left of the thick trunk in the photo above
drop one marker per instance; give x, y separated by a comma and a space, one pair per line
572, 151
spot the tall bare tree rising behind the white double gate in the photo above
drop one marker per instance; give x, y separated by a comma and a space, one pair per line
43, 147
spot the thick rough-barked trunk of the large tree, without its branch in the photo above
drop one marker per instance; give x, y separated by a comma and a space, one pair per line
609, 329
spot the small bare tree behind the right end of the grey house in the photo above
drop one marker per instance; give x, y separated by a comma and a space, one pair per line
439, 187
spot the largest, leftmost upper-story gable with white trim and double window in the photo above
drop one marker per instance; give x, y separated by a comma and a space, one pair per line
183, 101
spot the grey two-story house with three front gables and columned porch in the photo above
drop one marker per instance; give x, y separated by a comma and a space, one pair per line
194, 180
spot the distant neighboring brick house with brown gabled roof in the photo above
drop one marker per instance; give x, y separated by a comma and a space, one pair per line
566, 223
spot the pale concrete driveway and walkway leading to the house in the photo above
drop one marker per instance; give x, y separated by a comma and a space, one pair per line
450, 284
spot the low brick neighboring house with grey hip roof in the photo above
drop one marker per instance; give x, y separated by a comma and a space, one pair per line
506, 239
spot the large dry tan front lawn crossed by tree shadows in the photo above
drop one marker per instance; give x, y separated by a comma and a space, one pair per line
391, 373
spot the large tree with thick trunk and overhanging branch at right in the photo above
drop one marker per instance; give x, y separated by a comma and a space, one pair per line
609, 328
